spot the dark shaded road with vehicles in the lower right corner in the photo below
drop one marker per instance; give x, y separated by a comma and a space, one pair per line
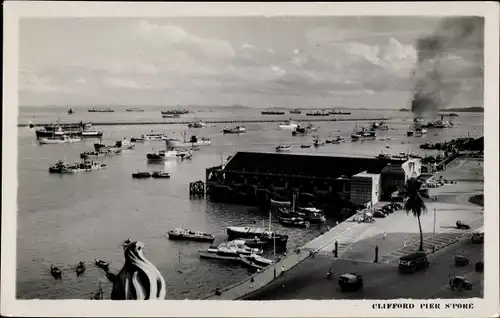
382, 281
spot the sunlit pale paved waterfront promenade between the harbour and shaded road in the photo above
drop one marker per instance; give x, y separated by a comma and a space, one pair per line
357, 241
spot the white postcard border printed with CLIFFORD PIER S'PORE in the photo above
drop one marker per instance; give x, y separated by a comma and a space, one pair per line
9, 306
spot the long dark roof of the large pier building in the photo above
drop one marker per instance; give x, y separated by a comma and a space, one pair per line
308, 165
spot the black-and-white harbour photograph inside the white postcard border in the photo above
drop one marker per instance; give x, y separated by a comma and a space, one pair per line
250, 158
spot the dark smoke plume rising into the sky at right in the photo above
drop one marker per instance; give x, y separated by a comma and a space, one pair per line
453, 53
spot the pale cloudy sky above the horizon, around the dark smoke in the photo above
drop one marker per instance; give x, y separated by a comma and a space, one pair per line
253, 61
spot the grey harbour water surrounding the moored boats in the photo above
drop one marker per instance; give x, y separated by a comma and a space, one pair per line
64, 219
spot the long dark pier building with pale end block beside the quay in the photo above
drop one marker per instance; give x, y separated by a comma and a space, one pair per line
253, 178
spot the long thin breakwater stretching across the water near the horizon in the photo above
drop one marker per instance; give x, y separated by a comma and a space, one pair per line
235, 121
